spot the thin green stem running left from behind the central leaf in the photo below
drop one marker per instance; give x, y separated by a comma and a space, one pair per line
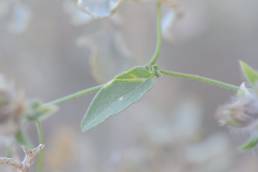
75, 95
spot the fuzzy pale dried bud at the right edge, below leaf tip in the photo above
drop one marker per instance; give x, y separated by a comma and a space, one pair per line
242, 115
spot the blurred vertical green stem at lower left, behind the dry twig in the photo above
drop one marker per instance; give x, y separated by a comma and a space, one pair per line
41, 158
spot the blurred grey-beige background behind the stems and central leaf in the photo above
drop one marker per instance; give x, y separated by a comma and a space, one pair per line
50, 49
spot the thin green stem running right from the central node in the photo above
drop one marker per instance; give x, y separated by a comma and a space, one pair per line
206, 80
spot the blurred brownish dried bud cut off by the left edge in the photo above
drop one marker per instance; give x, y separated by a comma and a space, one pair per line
12, 106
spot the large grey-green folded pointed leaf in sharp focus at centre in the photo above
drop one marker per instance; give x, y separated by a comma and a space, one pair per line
124, 90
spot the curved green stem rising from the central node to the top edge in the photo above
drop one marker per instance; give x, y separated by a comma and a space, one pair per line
156, 54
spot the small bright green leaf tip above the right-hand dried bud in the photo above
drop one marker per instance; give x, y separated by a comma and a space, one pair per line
250, 74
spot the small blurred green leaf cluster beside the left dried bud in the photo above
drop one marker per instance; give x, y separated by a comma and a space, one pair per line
39, 111
